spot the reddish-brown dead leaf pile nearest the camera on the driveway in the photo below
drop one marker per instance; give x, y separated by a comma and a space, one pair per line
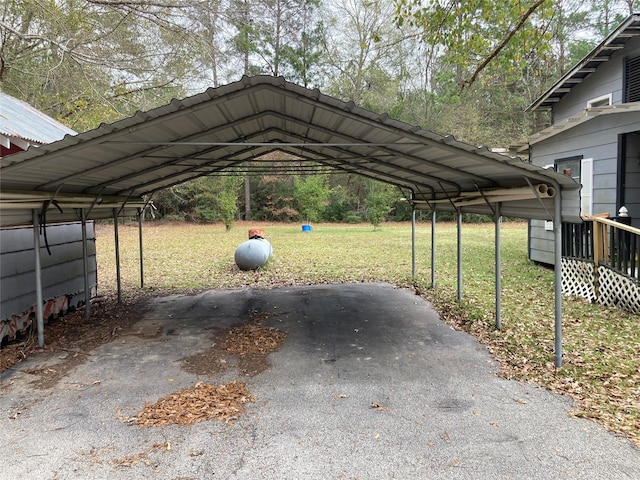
199, 403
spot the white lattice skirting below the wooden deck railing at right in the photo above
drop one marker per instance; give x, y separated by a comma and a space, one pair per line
578, 278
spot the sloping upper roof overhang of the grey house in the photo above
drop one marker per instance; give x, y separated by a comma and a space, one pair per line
628, 29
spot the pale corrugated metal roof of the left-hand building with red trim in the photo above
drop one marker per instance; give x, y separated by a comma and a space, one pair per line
20, 120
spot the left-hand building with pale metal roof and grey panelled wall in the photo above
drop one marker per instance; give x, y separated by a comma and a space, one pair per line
61, 249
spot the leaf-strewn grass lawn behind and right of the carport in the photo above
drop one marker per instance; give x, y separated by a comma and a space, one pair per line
601, 366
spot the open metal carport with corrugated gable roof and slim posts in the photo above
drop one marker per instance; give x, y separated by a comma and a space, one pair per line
116, 168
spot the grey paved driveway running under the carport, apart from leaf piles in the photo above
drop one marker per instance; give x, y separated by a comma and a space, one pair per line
369, 384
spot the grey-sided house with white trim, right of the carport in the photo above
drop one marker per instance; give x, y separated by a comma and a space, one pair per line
595, 132
